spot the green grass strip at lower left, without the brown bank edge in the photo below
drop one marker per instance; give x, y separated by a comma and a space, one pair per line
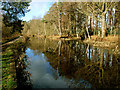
7, 80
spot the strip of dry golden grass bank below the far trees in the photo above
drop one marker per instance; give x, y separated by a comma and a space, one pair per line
107, 42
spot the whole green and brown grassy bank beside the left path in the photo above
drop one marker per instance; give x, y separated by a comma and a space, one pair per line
10, 55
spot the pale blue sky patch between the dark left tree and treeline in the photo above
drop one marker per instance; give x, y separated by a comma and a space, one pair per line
38, 9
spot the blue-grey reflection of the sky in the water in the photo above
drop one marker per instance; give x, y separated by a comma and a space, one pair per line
43, 75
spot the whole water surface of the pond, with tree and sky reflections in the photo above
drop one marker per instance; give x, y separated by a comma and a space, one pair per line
67, 64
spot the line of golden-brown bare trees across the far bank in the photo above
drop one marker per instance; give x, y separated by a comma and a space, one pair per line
78, 19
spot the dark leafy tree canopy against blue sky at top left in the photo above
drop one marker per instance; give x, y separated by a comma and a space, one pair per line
12, 13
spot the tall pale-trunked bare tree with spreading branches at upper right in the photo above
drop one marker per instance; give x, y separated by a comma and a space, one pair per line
100, 8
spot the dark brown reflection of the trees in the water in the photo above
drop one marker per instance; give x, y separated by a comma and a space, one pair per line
80, 62
